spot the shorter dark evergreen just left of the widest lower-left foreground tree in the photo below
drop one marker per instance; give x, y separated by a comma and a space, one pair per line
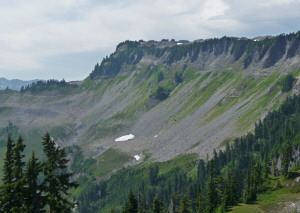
33, 196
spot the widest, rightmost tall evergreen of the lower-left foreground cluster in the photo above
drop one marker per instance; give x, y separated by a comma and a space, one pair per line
57, 180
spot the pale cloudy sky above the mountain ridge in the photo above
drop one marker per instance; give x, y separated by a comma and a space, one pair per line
46, 39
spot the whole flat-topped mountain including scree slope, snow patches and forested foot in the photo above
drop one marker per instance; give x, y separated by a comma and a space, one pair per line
151, 112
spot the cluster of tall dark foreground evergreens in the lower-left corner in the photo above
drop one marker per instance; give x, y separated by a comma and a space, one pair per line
38, 185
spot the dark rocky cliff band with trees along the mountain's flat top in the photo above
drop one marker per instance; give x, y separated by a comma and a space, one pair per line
262, 53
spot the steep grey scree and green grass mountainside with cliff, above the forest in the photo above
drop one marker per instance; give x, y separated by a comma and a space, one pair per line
174, 96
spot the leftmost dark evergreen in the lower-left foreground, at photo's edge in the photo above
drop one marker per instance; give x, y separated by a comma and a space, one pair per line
6, 193
